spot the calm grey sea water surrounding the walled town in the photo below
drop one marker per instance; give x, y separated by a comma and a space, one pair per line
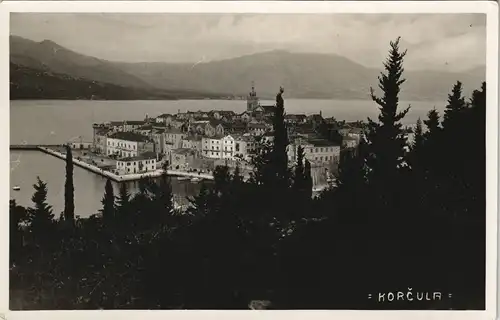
60, 121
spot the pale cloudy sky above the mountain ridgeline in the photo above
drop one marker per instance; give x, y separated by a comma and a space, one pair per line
452, 42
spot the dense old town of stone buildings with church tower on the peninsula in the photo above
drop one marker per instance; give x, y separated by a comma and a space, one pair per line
202, 140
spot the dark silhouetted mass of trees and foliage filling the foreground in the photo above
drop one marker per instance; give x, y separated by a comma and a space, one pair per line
384, 227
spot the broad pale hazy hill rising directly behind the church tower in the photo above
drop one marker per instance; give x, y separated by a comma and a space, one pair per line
304, 75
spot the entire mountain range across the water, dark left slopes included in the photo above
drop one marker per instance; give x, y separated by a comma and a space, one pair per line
303, 75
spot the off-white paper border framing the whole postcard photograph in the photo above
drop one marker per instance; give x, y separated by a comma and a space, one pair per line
453, 7
